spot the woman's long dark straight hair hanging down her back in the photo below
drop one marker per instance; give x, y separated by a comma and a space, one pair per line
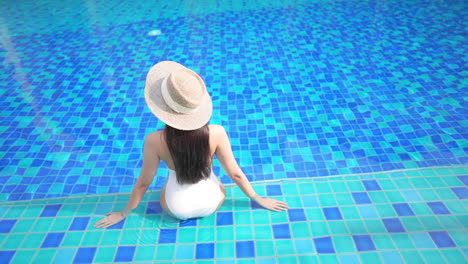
190, 151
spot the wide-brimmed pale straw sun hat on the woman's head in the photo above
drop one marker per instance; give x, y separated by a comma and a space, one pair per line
177, 96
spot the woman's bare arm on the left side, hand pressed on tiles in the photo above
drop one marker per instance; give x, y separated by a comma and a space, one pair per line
150, 165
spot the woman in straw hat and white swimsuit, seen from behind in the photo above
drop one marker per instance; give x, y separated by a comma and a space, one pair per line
178, 97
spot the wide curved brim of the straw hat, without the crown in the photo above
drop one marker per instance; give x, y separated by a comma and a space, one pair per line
162, 111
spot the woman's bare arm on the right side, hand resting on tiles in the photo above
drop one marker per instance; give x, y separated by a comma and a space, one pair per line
226, 158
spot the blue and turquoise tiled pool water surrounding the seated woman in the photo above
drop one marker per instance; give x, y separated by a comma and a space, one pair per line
369, 94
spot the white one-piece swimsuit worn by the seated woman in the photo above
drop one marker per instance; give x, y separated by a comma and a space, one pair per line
193, 200
